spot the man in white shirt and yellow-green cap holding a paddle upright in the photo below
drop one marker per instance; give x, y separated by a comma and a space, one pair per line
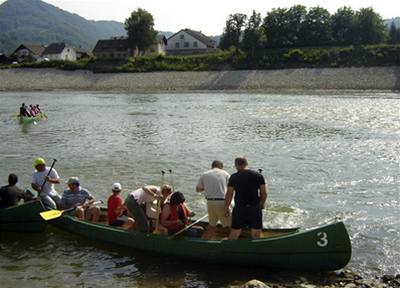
48, 195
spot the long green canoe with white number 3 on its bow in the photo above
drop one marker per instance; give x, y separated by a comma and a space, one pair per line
323, 248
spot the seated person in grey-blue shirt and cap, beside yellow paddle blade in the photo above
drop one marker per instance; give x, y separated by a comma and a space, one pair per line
81, 199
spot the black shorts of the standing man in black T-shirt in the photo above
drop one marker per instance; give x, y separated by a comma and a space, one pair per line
247, 216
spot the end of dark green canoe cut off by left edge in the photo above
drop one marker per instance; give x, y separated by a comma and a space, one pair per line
23, 218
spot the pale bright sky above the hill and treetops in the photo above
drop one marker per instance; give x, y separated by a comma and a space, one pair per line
208, 16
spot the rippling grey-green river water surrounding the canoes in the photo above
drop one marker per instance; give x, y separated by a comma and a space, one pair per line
324, 155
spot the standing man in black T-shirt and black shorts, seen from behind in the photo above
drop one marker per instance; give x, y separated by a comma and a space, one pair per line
250, 192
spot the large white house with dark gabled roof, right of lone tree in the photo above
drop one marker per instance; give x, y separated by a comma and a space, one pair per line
188, 41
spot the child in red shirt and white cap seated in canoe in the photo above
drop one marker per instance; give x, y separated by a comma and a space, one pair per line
116, 210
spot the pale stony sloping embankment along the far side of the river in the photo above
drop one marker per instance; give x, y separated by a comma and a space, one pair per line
371, 78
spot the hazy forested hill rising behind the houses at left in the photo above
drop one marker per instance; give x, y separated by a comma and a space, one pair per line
36, 22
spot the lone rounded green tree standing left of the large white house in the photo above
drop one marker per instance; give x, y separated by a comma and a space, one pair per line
140, 29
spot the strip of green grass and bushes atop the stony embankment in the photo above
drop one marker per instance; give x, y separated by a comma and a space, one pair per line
319, 57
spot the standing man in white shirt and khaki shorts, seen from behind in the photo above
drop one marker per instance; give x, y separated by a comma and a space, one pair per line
214, 185
